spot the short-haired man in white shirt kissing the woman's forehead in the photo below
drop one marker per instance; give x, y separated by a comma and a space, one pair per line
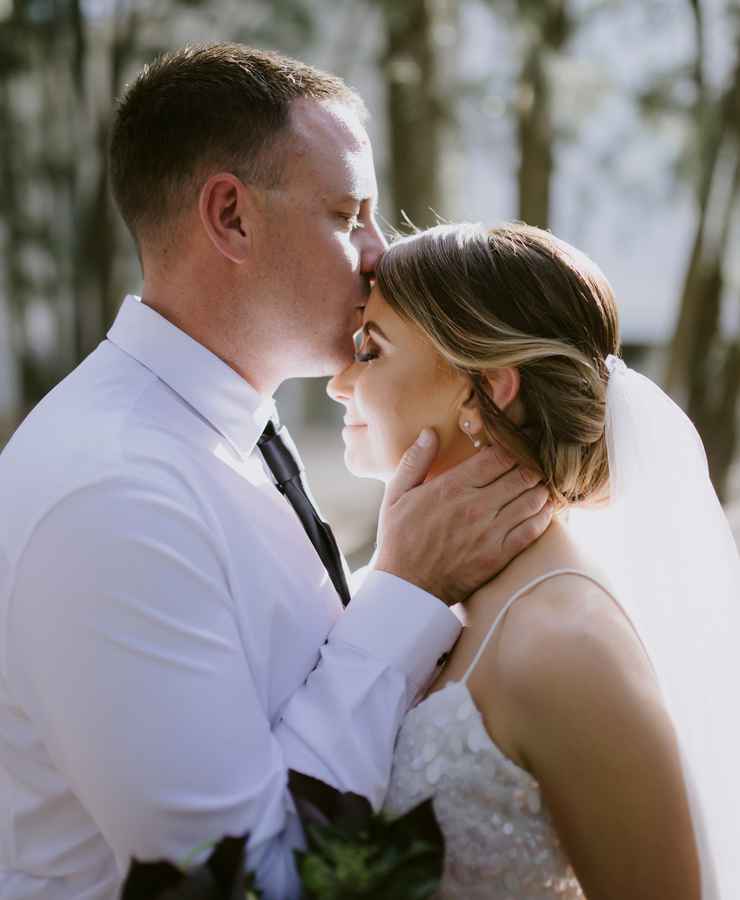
172, 641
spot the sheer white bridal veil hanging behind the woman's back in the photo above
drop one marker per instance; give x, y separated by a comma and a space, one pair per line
666, 544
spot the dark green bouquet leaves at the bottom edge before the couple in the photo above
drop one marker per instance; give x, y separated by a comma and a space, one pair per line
351, 853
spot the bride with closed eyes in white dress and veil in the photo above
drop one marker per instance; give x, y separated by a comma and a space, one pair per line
579, 740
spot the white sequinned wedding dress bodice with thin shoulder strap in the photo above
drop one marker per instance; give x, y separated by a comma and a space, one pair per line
500, 840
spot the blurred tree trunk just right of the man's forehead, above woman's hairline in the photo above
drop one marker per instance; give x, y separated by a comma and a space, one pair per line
420, 40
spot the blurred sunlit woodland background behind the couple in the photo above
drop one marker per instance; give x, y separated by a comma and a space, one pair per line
615, 123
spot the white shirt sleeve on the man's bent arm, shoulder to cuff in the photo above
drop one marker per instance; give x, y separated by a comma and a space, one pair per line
126, 652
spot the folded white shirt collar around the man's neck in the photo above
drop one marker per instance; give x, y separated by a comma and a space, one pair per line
207, 383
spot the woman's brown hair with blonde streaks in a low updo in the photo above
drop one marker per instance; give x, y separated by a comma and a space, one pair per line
517, 296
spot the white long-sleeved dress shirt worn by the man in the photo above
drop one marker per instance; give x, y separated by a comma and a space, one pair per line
170, 642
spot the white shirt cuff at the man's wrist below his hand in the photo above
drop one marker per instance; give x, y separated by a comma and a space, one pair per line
392, 619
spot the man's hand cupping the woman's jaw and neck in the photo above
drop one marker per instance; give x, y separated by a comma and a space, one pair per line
454, 533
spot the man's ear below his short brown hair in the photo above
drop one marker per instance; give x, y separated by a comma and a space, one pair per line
225, 210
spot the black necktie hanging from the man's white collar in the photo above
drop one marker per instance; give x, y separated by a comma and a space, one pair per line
287, 472
